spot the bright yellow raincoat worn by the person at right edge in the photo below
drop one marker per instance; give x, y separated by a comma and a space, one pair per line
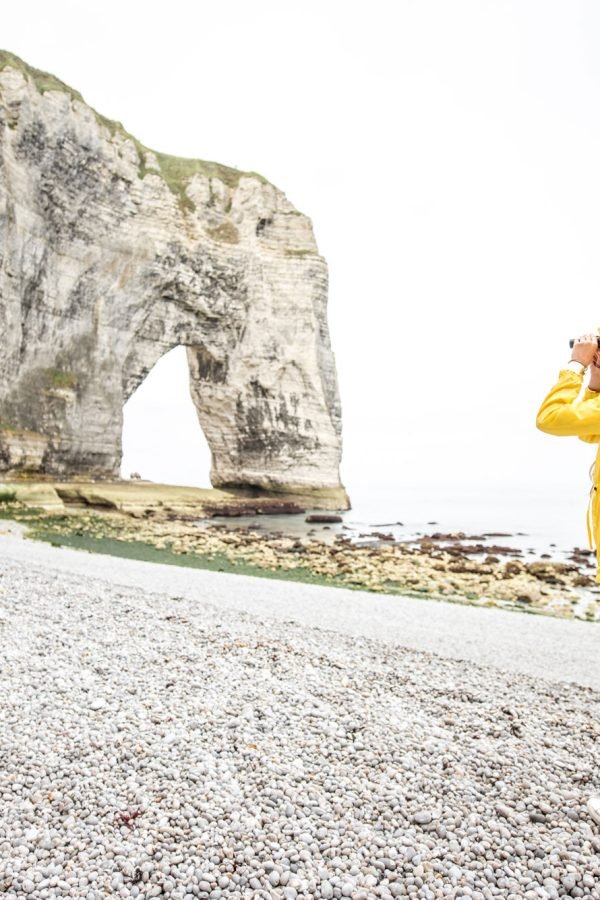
561, 413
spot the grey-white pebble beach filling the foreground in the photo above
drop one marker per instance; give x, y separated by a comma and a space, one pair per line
159, 742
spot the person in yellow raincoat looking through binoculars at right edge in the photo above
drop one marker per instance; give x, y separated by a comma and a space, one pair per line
562, 412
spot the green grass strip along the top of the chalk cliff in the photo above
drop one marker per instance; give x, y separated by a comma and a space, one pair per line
175, 171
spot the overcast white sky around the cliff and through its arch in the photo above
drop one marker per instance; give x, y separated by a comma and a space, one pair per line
448, 154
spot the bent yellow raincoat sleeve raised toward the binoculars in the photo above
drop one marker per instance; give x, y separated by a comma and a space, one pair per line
562, 415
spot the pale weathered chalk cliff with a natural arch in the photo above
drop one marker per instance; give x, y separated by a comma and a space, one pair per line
111, 255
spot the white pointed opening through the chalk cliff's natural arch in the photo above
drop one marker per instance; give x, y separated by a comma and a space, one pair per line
162, 439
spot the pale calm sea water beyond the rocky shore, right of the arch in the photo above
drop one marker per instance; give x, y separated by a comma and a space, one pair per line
536, 519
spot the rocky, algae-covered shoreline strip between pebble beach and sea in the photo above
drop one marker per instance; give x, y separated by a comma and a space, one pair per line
443, 567
